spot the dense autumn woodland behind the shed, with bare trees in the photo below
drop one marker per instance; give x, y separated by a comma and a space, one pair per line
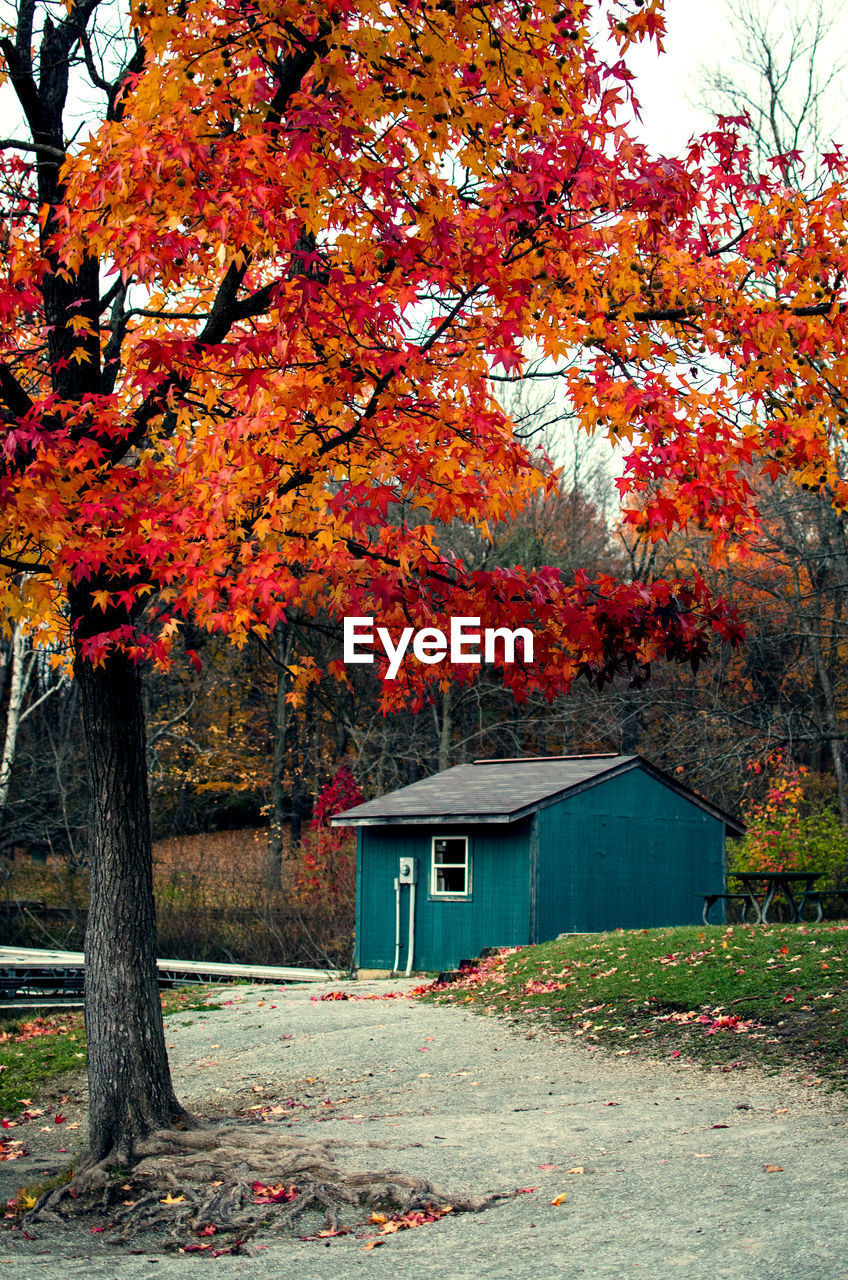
243, 779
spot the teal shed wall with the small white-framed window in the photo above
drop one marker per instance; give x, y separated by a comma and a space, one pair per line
446, 931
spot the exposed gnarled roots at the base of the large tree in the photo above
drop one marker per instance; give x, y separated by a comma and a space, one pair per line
203, 1185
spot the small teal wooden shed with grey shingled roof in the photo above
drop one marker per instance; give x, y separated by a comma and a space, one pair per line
504, 853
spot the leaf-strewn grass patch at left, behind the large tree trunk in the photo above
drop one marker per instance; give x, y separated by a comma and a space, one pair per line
37, 1050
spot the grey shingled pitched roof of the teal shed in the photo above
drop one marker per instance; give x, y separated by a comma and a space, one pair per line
508, 790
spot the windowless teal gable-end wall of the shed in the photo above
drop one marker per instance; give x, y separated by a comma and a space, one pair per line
630, 853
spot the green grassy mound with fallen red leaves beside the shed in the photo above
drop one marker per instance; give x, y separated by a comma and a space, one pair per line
730, 996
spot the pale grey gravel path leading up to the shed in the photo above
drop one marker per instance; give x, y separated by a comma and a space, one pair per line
674, 1182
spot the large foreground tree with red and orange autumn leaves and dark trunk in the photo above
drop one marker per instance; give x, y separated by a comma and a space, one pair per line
257, 310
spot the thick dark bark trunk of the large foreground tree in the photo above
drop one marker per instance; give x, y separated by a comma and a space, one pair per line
130, 1089
